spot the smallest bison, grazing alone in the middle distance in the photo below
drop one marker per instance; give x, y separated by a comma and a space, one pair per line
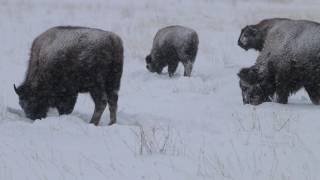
172, 45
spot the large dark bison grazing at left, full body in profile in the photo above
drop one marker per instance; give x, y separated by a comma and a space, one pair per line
65, 61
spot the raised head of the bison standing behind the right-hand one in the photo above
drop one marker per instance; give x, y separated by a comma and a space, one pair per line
251, 38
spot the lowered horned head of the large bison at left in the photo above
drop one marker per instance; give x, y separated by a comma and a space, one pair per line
34, 105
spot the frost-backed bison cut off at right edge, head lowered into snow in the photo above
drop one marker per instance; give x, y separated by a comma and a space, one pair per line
288, 61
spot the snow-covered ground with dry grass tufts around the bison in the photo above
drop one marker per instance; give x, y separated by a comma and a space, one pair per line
168, 128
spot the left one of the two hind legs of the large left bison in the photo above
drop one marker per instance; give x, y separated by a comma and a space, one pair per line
100, 103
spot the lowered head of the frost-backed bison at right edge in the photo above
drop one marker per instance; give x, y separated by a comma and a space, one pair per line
255, 89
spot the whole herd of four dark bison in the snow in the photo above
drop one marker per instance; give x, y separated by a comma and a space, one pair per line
68, 60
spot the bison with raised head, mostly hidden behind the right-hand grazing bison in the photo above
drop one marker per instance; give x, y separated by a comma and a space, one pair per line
253, 36
